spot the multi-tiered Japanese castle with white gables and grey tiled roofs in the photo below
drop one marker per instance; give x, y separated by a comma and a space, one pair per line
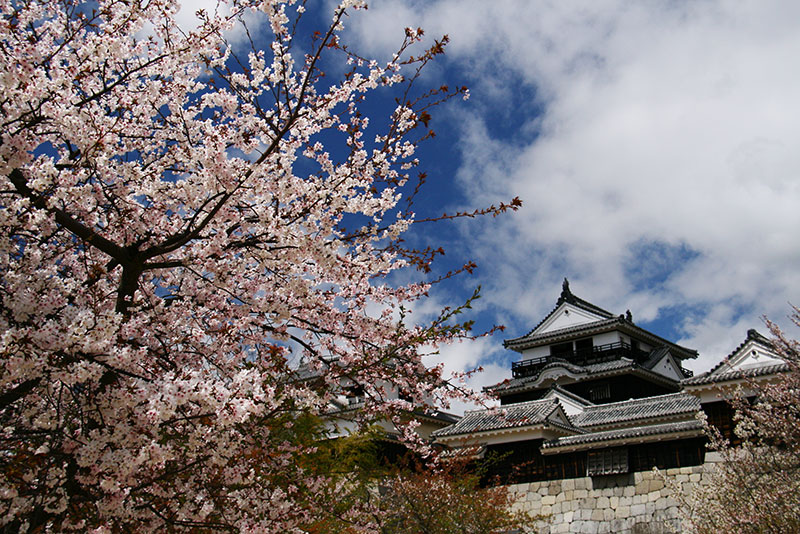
593, 394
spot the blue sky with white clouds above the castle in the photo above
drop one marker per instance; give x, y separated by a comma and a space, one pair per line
655, 147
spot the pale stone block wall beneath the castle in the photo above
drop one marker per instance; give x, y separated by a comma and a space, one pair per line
635, 503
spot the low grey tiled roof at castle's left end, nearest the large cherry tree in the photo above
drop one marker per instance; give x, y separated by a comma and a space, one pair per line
511, 416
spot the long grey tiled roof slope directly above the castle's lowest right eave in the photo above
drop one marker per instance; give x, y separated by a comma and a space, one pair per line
637, 409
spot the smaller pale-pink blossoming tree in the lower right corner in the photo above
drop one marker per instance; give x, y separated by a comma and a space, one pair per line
756, 486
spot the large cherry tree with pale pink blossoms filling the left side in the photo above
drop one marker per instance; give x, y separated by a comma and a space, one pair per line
181, 217
